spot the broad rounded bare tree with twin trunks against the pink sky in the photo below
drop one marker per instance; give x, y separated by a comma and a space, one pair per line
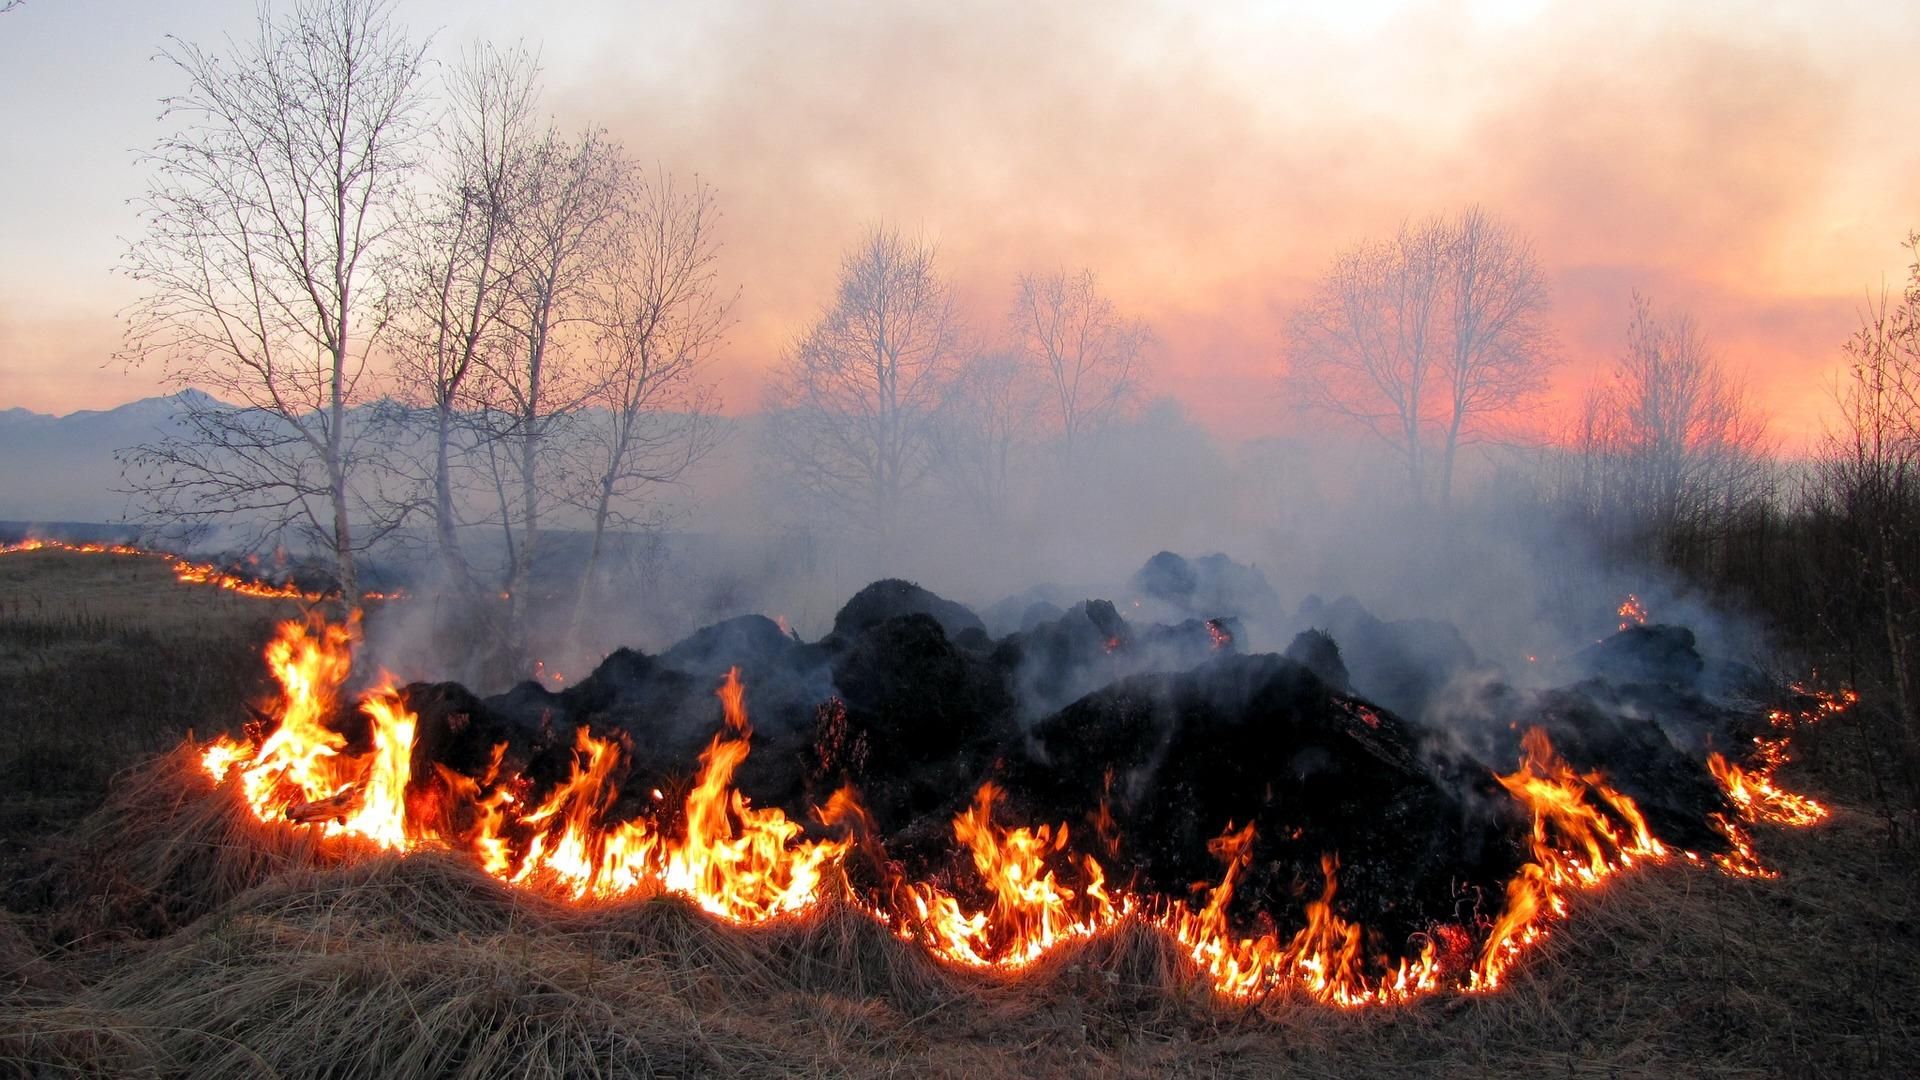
1426, 337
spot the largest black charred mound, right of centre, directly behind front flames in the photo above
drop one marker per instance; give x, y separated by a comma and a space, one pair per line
1178, 758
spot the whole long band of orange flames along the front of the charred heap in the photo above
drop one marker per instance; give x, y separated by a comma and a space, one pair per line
1032, 889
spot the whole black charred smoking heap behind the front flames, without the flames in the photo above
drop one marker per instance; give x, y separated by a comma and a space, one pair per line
1147, 741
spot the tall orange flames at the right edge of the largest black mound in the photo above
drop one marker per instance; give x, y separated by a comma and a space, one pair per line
1585, 831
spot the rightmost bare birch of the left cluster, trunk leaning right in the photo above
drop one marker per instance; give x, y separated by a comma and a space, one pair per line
661, 314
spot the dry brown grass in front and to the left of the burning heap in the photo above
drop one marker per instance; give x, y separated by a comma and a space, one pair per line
162, 935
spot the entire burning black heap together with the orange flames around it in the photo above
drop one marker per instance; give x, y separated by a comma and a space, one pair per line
997, 798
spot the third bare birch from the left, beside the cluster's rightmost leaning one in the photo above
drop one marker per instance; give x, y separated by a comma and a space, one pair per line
562, 251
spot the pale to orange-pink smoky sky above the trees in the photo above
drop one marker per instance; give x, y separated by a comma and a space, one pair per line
1752, 164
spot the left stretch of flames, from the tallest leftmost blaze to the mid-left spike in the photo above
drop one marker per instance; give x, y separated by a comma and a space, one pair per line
734, 860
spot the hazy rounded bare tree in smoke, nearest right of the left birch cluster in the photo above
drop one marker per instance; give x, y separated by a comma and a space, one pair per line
855, 401
